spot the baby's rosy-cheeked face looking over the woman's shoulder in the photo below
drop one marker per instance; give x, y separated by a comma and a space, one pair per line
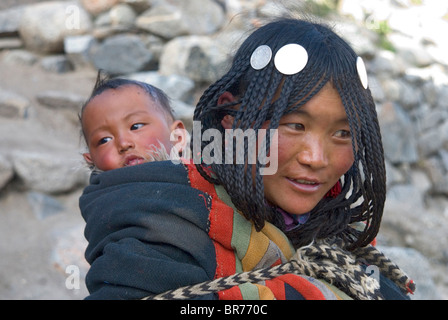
122, 125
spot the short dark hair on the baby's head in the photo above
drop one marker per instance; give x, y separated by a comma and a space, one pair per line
104, 82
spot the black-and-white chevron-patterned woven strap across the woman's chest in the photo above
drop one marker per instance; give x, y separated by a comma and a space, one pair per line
327, 260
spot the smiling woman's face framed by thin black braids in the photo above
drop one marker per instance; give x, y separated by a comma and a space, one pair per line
314, 151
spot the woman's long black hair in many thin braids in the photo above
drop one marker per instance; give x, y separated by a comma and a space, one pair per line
267, 95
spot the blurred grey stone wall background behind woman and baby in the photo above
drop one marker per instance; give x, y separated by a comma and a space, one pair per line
50, 52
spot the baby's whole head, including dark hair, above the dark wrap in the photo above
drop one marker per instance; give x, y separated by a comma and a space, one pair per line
128, 122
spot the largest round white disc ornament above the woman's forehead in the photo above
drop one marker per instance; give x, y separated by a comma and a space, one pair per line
291, 59
